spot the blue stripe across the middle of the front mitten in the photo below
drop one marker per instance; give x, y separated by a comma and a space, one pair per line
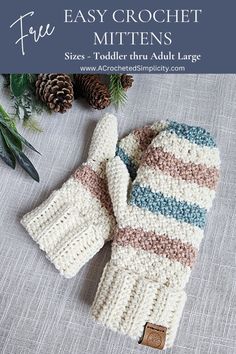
143, 197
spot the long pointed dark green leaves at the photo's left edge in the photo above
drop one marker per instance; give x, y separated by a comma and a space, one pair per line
11, 145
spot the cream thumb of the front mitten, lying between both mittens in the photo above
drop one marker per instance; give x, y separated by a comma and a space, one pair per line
118, 184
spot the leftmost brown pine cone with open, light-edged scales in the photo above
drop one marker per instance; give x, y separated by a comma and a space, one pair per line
56, 90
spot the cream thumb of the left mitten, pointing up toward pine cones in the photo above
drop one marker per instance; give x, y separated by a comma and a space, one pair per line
104, 140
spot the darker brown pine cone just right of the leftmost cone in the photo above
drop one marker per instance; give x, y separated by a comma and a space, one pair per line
93, 90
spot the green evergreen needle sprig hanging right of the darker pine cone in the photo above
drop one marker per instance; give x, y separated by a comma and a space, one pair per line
118, 94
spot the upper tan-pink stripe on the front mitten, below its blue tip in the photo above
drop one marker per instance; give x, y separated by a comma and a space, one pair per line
190, 172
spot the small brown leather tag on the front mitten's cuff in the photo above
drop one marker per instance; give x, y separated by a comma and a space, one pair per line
154, 336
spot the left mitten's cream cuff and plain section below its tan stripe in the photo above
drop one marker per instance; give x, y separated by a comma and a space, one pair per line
67, 229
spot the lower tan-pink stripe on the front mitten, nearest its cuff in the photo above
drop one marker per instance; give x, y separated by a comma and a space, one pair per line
161, 245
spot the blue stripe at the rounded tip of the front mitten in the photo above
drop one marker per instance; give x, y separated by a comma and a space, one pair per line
196, 135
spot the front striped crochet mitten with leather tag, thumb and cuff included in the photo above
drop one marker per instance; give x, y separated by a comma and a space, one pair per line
141, 292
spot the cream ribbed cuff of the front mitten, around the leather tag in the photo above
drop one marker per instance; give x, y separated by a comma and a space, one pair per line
125, 302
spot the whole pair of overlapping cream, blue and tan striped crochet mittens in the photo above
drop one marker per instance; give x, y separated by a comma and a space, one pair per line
157, 222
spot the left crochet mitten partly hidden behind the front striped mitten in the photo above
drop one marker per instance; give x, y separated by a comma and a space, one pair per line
74, 222
